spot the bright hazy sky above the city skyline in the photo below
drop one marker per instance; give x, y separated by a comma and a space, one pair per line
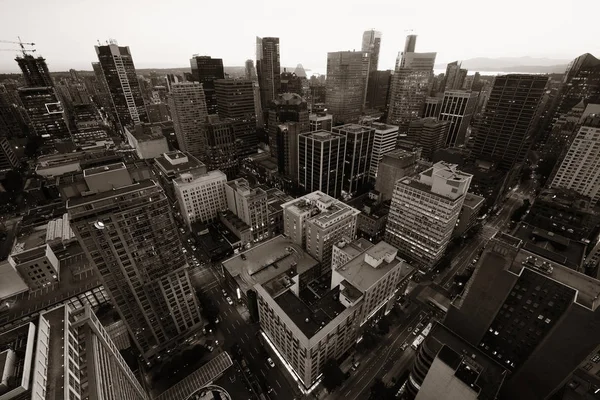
167, 33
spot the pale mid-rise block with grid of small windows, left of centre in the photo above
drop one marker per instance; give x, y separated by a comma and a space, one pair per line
201, 196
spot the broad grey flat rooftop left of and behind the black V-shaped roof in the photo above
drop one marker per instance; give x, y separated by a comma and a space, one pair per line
266, 261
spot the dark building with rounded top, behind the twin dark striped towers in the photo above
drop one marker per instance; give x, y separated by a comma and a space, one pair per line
286, 107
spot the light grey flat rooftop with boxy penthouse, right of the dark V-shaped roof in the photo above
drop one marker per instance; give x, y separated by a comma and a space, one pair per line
363, 275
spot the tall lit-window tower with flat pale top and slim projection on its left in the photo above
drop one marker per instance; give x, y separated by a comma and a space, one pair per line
411, 84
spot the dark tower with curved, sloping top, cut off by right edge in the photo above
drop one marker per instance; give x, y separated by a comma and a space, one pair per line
580, 82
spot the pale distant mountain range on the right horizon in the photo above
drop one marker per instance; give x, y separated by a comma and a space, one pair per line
514, 64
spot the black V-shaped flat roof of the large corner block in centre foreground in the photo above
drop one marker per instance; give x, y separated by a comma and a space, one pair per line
311, 319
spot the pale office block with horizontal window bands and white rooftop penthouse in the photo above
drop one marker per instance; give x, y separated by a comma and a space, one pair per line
424, 212
